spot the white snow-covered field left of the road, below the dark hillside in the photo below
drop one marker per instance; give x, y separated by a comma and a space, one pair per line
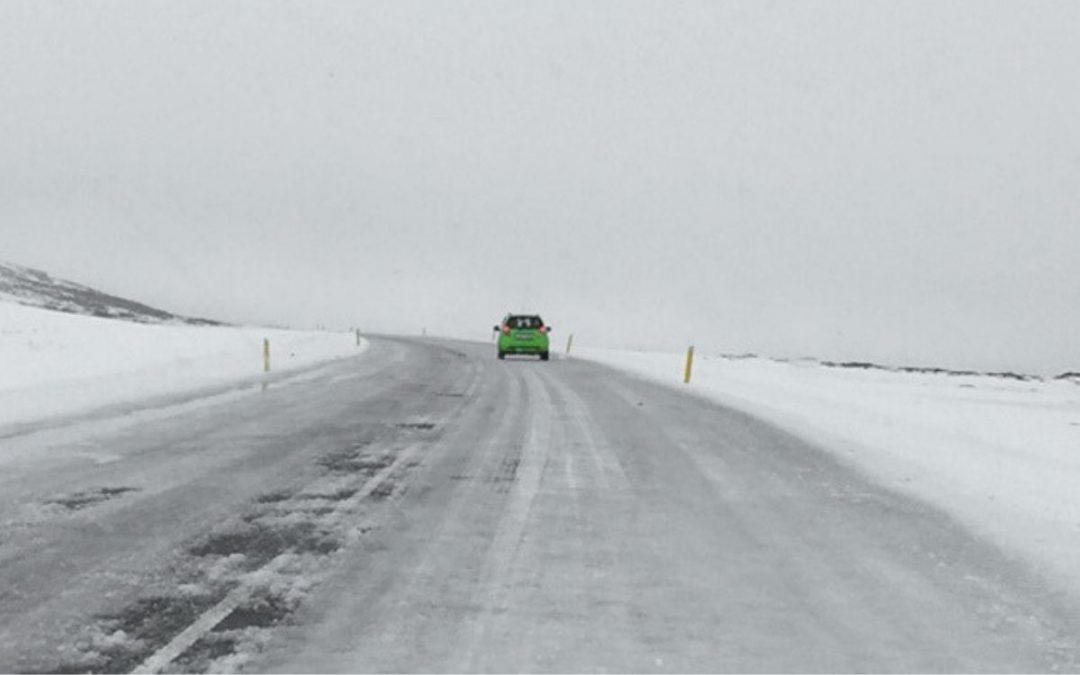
55, 363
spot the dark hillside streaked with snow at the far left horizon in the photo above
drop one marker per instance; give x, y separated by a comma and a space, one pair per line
37, 289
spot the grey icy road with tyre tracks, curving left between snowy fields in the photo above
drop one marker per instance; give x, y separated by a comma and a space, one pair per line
428, 508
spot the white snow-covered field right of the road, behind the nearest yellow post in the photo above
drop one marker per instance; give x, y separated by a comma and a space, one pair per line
1002, 455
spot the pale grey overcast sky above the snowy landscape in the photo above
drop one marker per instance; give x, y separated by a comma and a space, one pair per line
888, 181
